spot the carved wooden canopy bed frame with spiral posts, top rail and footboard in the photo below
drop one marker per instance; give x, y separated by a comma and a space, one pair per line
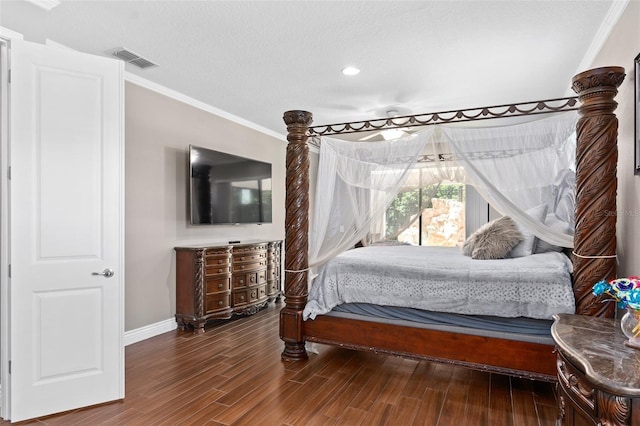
594, 241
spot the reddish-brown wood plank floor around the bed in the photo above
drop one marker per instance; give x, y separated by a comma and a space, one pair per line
233, 375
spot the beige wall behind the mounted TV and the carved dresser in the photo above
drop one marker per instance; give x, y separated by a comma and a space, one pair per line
158, 131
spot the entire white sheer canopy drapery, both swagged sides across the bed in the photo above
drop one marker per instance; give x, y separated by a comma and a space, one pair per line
515, 167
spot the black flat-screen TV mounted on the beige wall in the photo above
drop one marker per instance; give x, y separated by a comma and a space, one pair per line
228, 189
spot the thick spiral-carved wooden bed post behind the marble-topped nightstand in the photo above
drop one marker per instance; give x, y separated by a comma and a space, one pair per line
596, 186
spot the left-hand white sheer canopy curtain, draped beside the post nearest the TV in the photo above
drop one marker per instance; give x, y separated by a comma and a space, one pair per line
356, 183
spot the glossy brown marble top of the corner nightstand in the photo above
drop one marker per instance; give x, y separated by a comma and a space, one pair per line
596, 346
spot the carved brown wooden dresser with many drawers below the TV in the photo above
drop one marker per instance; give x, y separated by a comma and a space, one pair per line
220, 280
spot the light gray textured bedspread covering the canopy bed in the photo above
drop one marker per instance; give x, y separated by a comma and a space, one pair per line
442, 279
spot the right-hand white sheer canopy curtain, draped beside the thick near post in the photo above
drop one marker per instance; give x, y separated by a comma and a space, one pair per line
519, 167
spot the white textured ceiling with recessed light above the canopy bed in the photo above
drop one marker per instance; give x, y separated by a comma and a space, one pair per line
257, 59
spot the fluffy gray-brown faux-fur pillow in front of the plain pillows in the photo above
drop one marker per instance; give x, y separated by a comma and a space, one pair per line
493, 240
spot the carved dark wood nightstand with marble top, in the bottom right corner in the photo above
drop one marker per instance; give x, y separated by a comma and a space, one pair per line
598, 376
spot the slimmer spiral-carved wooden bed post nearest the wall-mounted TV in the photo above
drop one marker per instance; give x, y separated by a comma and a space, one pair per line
296, 261
